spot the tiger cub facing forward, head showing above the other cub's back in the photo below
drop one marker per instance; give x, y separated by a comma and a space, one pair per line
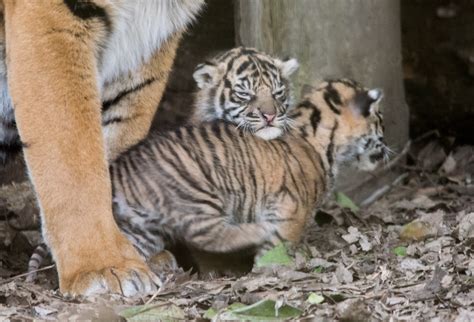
248, 88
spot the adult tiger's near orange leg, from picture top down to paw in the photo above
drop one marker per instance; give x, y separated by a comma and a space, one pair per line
52, 80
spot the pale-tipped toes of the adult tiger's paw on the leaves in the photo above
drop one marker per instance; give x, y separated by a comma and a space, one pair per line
130, 279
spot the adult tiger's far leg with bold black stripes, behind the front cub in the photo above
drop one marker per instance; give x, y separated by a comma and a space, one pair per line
128, 113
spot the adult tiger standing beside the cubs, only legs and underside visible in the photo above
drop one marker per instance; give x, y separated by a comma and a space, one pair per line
84, 78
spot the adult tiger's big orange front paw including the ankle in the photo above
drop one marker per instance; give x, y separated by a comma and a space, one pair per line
108, 264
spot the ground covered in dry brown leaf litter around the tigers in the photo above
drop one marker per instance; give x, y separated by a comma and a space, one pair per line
407, 256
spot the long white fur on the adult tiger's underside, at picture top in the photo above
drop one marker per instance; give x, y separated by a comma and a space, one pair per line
141, 28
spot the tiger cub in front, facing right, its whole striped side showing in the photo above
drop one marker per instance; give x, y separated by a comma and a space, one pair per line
221, 190
